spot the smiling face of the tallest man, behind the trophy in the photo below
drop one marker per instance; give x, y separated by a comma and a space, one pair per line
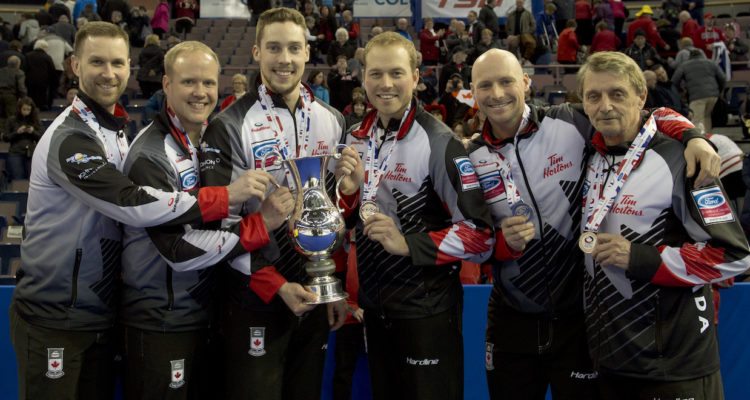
282, 54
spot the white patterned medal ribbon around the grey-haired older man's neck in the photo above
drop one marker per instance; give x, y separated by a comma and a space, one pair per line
596, 211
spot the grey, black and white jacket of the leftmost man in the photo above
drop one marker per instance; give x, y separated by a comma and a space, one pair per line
71, 248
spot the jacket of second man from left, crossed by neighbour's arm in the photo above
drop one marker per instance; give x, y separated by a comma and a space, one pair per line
167, 282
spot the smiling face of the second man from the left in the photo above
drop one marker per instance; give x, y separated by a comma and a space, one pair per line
191, 87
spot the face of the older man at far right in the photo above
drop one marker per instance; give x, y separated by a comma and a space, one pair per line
613, 105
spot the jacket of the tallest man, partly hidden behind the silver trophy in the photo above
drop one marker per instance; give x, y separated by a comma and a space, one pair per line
235, 141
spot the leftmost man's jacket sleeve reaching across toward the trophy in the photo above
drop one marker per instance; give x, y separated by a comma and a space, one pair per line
79, 165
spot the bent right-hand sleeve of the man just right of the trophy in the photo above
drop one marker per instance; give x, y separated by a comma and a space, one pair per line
470, 236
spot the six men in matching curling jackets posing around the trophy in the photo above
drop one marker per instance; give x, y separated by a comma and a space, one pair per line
614, 318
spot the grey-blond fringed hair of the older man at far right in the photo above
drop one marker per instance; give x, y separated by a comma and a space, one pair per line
615, 63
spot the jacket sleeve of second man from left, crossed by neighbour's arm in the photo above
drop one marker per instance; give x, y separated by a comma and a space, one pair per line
185, 248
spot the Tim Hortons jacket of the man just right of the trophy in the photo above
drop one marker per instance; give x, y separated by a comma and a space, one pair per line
432, 193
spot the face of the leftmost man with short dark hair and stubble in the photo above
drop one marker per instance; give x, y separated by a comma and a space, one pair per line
103, 68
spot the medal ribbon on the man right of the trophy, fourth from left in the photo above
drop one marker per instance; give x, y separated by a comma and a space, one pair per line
374, 174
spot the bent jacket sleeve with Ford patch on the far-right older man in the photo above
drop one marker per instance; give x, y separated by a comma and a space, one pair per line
717, 249
